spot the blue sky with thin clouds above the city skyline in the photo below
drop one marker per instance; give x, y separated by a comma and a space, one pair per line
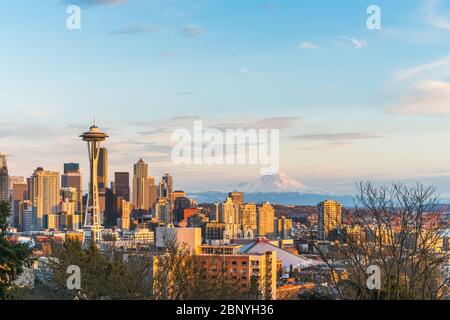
353, 103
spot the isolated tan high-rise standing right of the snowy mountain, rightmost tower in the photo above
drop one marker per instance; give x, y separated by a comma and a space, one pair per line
329, 217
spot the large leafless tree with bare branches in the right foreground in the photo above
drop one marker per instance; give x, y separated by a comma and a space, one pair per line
398, 229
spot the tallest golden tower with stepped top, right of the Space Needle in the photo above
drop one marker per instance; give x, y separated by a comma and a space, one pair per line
144, 188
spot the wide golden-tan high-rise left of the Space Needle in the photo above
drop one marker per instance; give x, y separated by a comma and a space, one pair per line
45, 190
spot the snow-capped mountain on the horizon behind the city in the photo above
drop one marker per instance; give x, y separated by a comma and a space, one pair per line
278, 183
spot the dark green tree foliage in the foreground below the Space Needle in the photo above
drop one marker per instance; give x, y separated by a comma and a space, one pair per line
106, 275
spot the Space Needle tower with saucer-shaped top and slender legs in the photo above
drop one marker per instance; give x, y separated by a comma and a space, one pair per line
92, 225
